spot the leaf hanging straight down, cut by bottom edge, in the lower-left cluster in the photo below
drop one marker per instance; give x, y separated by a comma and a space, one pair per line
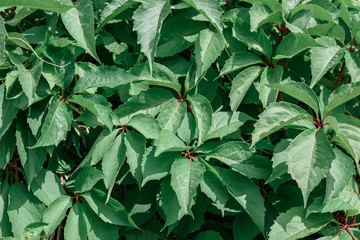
76, 224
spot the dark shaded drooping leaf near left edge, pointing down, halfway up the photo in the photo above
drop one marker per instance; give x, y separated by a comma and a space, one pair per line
31, 159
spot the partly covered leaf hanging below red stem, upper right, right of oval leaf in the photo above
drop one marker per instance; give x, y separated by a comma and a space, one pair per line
269, 76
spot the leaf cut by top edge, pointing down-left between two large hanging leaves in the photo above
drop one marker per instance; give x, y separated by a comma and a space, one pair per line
113, 9
